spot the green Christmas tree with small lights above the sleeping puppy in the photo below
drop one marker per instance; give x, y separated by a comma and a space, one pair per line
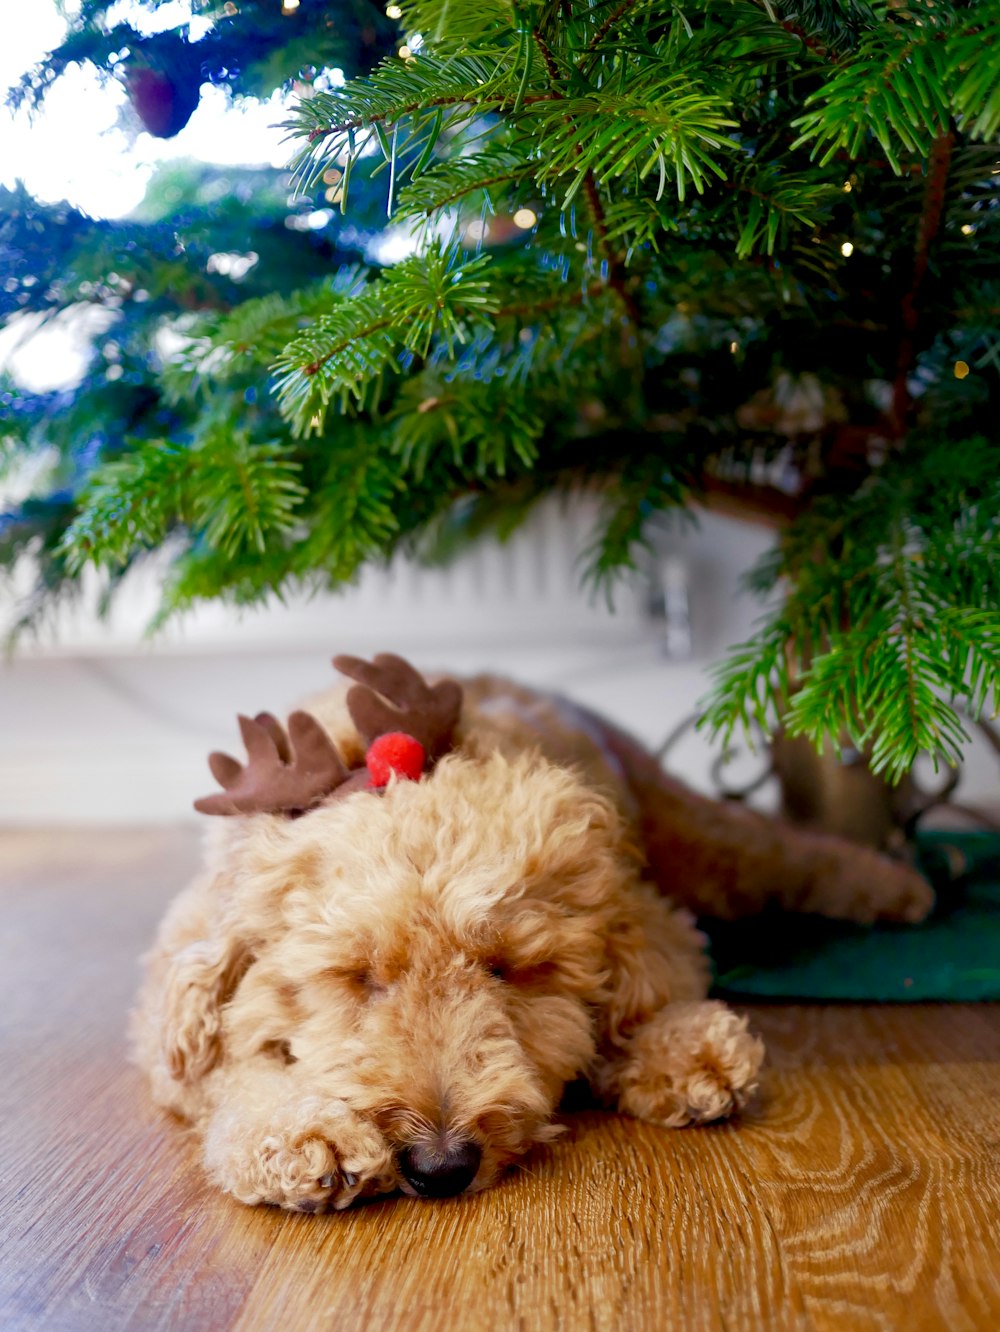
738, 252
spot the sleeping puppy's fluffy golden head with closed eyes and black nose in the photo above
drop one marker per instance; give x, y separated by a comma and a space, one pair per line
436, 957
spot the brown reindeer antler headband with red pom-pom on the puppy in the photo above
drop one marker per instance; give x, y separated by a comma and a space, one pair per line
405, 723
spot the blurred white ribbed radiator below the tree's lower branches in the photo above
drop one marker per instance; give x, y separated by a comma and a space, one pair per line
529, 587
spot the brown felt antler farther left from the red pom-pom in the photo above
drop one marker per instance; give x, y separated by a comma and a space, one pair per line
284, 773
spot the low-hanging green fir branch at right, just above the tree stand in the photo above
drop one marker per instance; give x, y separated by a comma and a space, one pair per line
885, 629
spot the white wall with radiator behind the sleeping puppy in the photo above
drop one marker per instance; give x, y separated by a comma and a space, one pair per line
99, 727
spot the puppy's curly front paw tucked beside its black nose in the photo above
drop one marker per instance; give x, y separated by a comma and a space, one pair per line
320, 1160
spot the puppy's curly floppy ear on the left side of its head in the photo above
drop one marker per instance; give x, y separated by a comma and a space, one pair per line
200, 978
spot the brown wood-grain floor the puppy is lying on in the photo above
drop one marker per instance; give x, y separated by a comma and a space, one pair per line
862, 1193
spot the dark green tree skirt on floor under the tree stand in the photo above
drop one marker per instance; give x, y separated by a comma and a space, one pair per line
954, 956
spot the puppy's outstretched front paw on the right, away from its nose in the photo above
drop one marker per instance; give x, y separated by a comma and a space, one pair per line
689, 1065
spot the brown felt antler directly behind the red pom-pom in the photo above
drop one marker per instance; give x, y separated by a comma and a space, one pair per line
391, 696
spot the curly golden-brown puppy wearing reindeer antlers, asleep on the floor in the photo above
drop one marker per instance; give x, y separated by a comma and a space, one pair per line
393, 990
